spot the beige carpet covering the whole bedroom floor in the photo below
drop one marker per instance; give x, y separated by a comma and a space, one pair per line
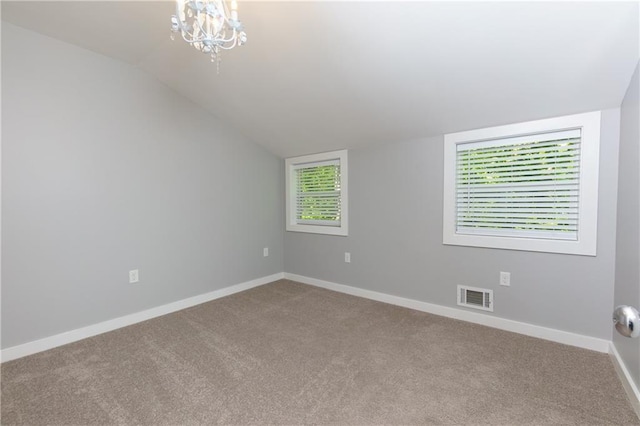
287, 353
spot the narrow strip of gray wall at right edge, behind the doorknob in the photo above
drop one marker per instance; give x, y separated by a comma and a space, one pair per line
627, 284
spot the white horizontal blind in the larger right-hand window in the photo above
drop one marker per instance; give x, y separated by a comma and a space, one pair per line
525, 186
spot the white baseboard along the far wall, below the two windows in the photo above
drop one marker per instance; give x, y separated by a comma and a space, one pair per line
567, 338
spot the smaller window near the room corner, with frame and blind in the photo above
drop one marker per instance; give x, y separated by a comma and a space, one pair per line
316, 188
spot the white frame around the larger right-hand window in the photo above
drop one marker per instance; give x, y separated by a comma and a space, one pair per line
586, 242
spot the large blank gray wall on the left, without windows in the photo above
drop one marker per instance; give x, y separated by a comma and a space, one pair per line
106, 170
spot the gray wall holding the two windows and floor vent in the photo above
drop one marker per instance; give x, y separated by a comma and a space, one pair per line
395, 241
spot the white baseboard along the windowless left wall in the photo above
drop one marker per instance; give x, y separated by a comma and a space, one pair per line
51, 342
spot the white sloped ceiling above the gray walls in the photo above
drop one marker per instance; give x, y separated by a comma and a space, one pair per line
317, 75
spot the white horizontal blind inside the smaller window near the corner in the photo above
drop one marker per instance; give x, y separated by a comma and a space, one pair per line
318, 193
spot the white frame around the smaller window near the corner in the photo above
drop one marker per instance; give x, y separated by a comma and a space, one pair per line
290, 165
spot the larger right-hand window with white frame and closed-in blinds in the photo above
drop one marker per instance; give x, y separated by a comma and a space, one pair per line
528, 186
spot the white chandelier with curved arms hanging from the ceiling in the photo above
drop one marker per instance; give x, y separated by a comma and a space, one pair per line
208, 26
